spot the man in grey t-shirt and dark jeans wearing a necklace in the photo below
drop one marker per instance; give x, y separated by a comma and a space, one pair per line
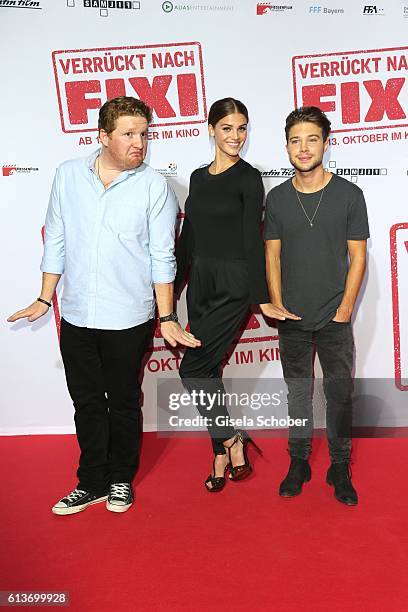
316, 232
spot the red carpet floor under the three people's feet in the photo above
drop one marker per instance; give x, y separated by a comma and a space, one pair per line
180, 548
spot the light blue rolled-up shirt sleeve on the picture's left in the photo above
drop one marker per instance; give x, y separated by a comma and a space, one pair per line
53, 260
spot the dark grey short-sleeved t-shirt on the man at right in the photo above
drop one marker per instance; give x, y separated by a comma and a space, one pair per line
314, 260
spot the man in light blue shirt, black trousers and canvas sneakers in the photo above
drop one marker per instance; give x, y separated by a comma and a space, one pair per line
110, 229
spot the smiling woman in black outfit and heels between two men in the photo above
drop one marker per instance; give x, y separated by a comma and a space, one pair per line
221, 241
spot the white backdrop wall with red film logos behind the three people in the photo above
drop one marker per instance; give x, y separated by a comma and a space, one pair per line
63, 58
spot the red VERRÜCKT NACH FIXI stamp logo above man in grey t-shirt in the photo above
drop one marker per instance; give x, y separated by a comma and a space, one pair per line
359, 90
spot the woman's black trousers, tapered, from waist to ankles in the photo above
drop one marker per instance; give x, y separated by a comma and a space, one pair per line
217, 303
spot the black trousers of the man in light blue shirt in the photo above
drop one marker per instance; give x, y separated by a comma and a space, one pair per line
102, 369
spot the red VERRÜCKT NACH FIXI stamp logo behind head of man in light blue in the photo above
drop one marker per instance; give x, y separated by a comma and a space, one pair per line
169, 78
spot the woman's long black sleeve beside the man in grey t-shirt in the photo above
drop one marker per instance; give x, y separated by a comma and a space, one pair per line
253, 195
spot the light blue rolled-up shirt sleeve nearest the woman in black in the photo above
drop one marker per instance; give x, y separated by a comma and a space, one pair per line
162, 231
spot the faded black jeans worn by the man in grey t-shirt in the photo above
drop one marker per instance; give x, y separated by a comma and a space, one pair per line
335, 347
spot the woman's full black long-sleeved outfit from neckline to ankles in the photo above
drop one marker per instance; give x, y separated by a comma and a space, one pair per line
221, 242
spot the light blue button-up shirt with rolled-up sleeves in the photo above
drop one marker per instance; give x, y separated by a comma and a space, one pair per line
111, 245
